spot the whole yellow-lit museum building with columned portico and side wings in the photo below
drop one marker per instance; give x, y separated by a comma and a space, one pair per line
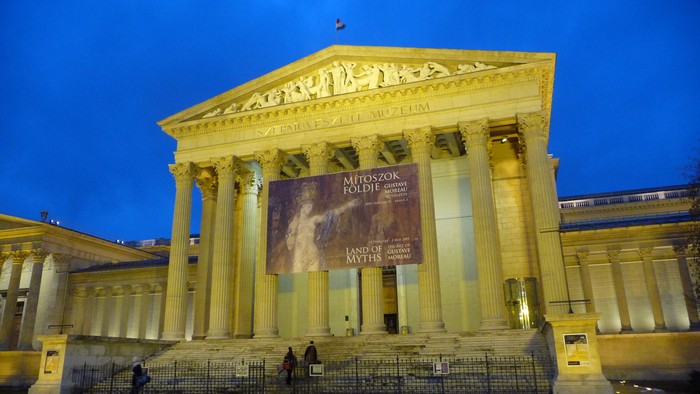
299, 171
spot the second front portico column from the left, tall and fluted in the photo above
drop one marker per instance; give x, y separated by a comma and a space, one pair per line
219, 323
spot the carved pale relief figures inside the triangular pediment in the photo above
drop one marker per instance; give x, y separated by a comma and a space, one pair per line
344, 77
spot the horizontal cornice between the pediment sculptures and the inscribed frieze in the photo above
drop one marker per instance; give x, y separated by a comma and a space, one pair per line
357, 101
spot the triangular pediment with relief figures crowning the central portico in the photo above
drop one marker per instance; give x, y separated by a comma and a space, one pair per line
338, 71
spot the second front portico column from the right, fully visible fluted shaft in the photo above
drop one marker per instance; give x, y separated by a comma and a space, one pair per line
486, 238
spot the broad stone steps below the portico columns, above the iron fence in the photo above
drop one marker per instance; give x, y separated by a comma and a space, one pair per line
451, 345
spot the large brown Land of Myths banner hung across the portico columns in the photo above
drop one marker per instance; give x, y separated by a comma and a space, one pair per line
356, 219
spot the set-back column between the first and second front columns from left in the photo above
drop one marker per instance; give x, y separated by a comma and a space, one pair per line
208, 187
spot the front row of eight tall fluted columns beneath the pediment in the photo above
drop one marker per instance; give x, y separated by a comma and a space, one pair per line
218, 246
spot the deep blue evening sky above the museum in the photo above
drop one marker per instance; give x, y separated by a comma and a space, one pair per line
83, 83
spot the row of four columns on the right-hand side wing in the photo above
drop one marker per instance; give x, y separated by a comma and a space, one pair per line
650, 282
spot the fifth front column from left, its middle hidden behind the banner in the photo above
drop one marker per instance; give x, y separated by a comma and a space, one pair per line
367, 149
